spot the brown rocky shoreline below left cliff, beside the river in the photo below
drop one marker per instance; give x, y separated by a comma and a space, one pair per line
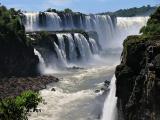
14, 86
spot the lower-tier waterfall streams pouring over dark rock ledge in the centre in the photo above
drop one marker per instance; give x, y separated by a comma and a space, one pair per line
72, 48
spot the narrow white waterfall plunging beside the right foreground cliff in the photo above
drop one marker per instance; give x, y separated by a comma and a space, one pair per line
110, 110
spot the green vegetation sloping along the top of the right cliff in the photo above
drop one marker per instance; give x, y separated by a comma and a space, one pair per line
149, 32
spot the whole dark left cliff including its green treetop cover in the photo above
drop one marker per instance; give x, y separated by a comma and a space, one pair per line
16, 53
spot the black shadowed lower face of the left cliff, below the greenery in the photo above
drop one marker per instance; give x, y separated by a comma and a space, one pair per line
17, 58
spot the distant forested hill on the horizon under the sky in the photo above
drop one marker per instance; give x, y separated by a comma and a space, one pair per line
144, 10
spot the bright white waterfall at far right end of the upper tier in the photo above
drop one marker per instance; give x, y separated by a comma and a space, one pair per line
127, 26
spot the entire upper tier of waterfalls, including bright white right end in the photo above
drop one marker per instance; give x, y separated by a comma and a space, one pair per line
107, 28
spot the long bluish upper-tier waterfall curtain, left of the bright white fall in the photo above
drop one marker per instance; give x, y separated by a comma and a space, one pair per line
50, 21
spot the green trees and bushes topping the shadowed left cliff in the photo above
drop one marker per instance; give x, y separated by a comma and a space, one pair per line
10, 24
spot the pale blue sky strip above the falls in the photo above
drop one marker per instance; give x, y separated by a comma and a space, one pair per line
86, 6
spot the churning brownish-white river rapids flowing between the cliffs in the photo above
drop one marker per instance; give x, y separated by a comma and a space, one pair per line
75, 97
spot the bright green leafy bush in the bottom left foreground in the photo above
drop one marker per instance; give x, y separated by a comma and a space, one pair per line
18, 108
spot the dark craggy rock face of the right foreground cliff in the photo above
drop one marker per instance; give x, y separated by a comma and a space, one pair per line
138, 79
